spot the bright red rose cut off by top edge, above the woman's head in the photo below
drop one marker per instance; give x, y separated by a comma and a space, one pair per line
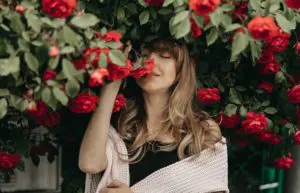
203, 7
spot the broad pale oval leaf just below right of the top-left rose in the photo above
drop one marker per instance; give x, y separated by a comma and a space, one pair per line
84, 21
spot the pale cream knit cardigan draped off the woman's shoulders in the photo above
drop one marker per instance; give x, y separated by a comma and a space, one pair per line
202, 174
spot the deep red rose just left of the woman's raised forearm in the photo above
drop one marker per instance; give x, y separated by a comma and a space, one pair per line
83, 103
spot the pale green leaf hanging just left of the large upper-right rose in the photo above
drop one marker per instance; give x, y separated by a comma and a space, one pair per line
239, 44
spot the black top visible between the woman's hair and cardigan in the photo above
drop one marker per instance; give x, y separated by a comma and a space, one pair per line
151, 162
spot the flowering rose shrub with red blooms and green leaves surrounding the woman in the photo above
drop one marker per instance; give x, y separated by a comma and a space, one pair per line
54, 53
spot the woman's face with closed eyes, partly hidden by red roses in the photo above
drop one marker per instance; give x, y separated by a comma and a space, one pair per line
163, 74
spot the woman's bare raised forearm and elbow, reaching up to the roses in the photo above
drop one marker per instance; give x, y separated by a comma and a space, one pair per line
92, 154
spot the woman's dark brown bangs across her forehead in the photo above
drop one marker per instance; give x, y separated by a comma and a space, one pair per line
165, 45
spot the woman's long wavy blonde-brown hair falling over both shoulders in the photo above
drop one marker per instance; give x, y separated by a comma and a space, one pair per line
187, 125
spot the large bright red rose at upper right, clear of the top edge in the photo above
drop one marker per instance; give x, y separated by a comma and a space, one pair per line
262, 28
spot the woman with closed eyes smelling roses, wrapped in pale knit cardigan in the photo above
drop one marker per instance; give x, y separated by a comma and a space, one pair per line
162, 143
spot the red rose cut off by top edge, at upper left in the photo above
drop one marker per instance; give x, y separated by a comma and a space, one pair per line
58, 8
